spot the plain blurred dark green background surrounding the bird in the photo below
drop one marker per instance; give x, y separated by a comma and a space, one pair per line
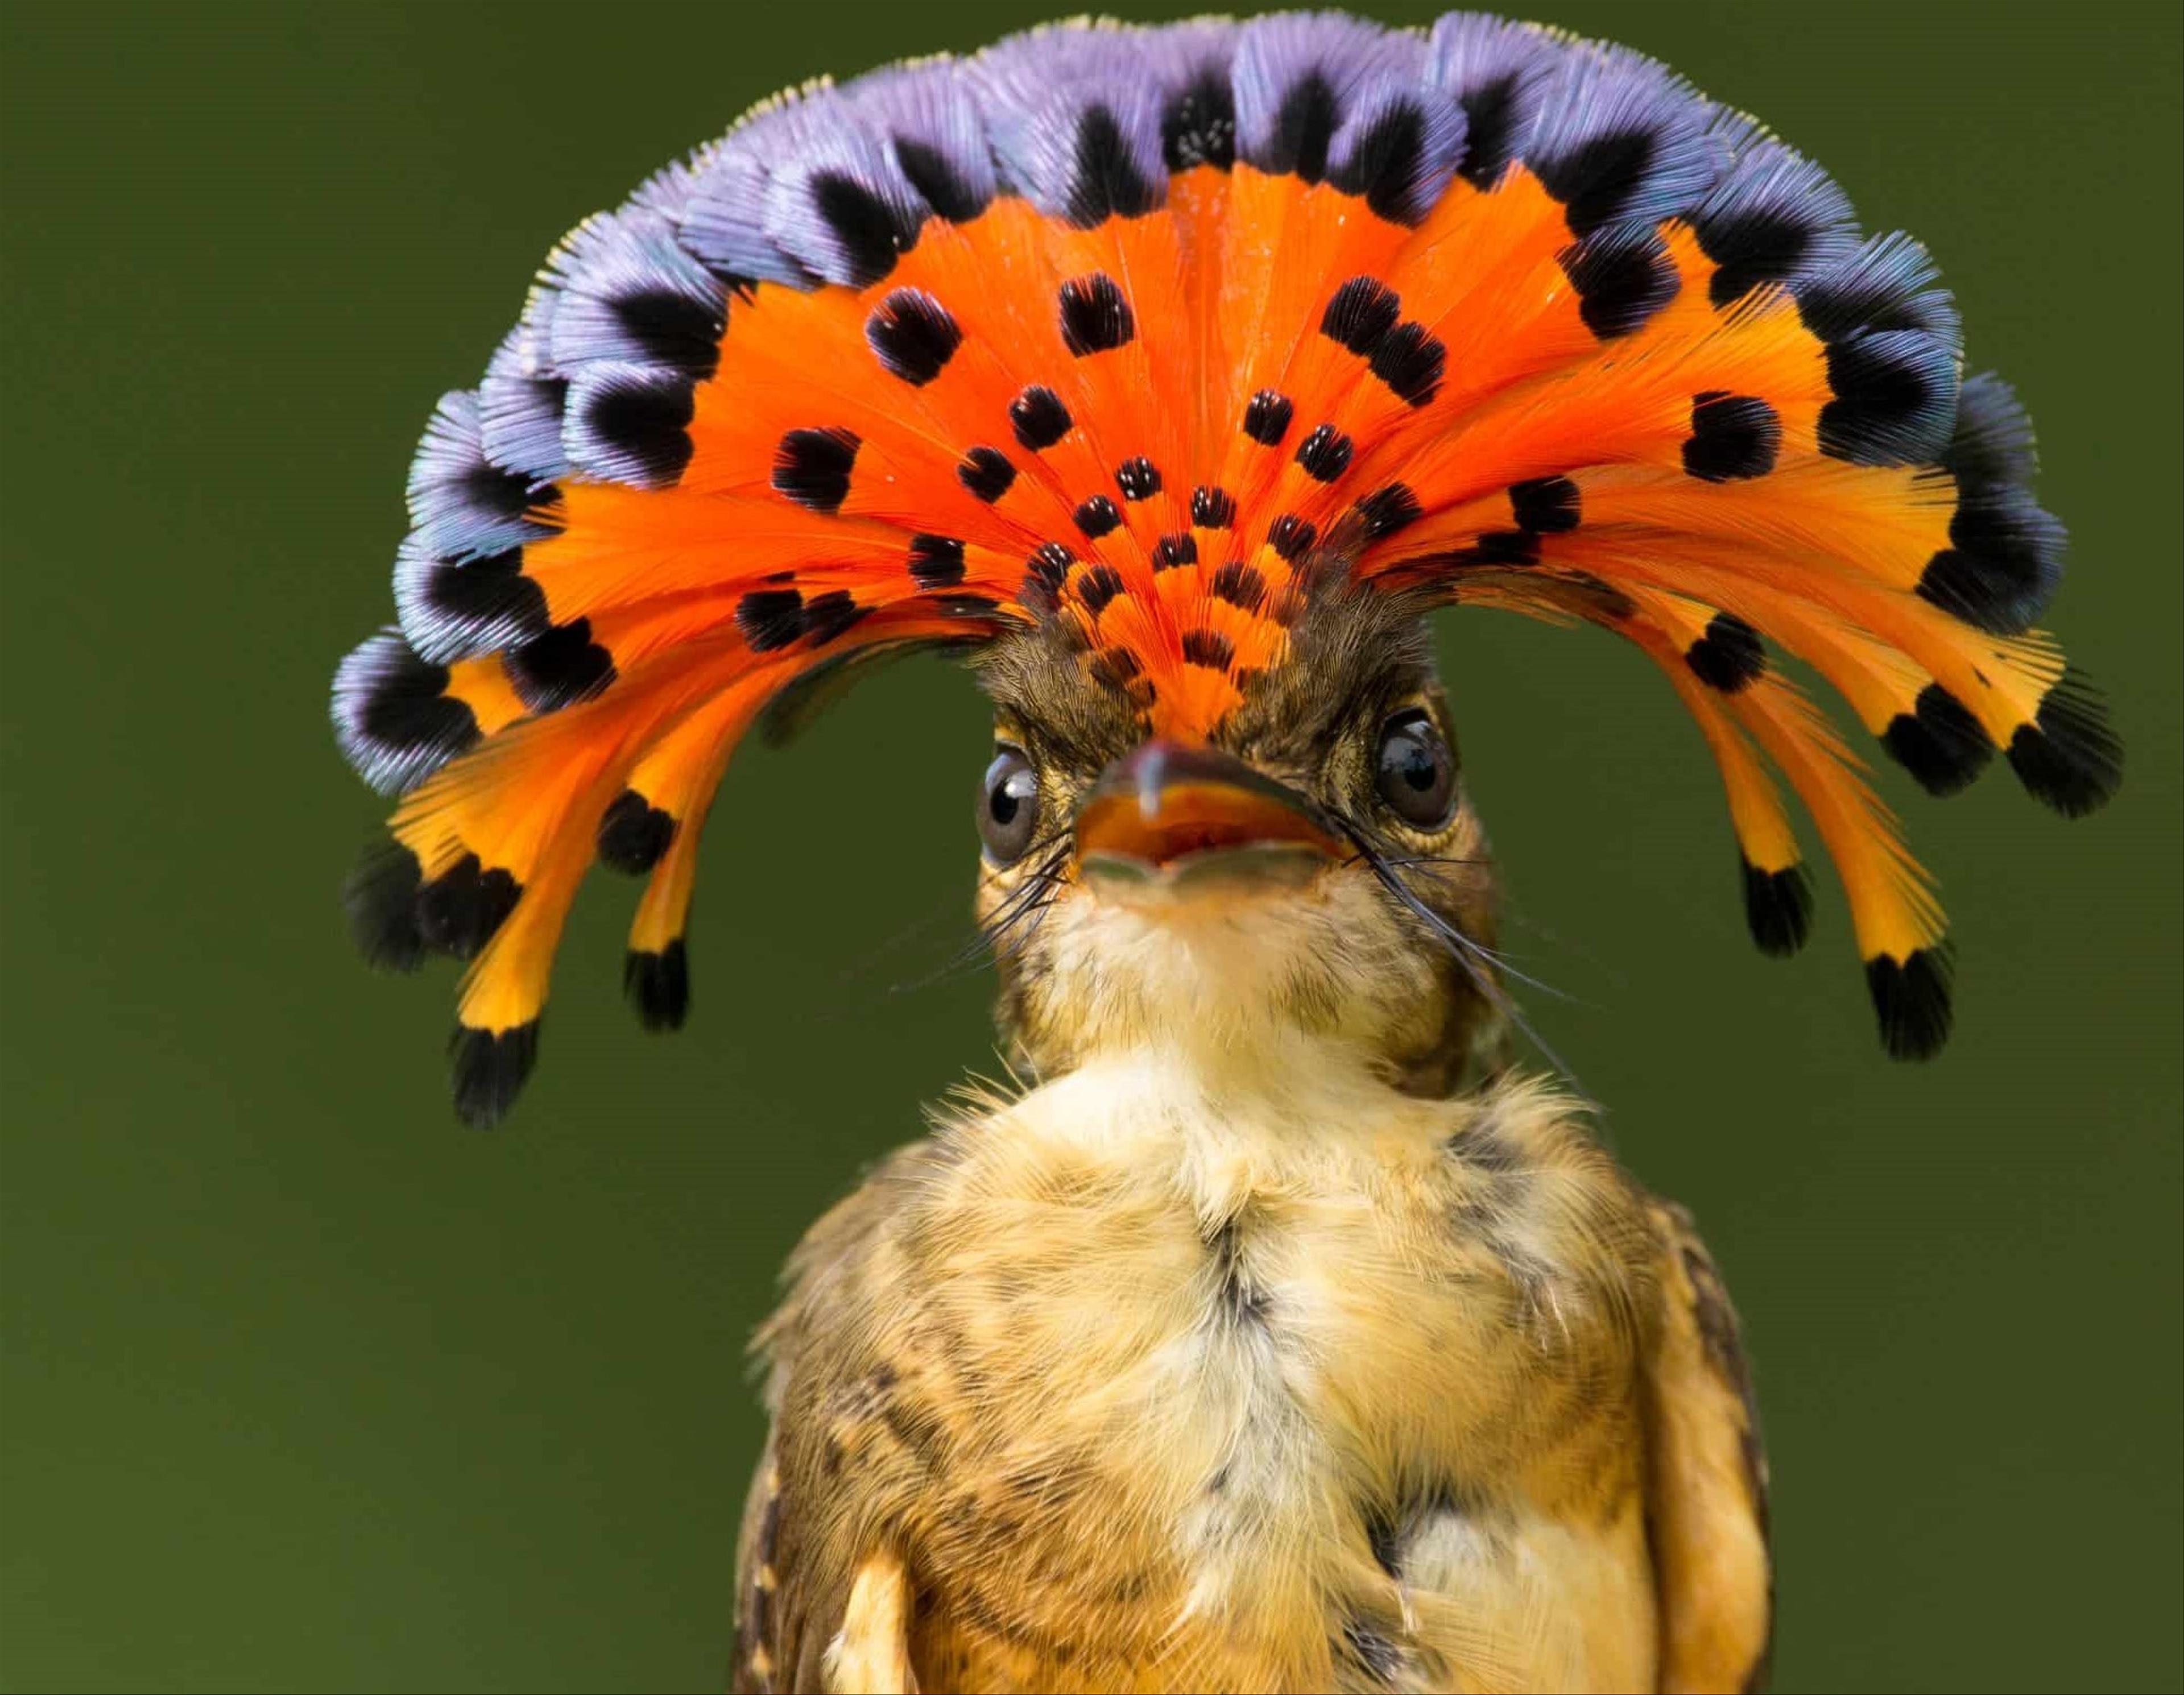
311, 1388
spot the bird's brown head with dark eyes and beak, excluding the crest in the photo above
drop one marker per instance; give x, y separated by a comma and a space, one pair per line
1305, 866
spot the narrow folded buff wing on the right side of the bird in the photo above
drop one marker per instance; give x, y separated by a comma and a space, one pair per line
1707, 1478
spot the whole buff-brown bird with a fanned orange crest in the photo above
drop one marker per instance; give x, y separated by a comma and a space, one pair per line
1274, 1323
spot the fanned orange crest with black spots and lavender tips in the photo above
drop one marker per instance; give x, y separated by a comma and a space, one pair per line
1152, 337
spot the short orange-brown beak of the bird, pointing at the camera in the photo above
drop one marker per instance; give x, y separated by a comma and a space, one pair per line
1176, 818
